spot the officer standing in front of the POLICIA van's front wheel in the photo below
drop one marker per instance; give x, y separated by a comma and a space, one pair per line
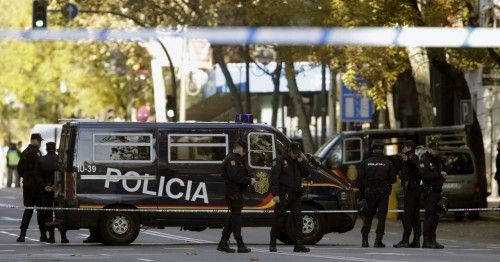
286, 187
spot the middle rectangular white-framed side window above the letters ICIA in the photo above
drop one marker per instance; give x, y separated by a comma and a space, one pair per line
197, 148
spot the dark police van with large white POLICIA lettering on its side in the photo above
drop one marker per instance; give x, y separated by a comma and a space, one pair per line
175, 168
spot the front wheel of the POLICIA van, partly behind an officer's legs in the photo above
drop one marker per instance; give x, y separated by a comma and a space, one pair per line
313, 226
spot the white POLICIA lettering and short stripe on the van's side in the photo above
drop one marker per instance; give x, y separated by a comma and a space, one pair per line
114, 175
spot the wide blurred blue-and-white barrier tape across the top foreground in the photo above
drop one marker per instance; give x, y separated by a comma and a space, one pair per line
338, 36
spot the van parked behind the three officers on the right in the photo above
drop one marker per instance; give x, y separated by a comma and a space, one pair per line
465, 186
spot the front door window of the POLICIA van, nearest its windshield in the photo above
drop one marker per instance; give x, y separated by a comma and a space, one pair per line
261, 150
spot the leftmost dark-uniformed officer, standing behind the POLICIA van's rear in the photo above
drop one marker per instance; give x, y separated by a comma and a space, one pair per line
32, 191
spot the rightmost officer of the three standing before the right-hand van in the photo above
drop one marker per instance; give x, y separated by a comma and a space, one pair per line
433, 176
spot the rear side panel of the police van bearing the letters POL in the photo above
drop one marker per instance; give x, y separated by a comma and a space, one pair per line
117, 166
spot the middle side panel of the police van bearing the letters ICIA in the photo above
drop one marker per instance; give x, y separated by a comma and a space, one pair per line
189, 174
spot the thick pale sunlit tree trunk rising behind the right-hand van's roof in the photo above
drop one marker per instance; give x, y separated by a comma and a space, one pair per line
420, 67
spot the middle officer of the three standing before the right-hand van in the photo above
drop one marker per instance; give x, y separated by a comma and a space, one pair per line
410, 177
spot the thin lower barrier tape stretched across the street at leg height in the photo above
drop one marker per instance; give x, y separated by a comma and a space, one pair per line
221, 210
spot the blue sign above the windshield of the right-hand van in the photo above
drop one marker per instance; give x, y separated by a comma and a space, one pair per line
355, 107
